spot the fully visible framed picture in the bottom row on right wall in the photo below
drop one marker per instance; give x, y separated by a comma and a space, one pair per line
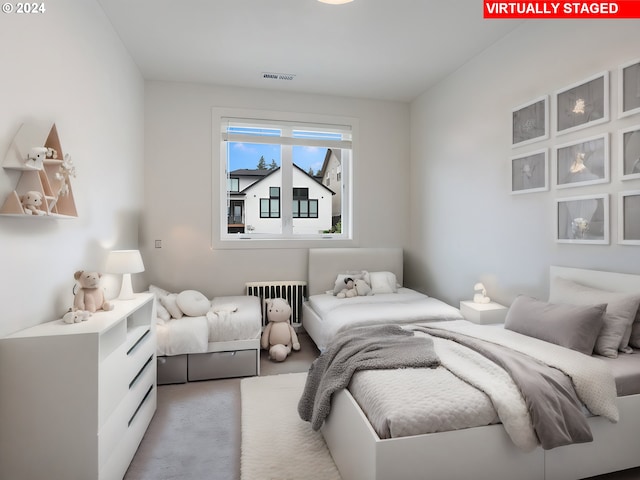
583, 219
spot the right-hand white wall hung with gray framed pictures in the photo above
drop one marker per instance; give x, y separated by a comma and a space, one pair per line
467, 226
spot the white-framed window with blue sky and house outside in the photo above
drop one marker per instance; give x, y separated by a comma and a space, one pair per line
277, 177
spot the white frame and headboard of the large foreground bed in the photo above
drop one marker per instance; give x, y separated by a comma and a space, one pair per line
484, 452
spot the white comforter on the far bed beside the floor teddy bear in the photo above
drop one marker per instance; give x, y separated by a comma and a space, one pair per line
406, 306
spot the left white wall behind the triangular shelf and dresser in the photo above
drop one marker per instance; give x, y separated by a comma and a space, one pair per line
69, 67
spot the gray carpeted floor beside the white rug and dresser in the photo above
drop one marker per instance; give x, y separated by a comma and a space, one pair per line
195, 433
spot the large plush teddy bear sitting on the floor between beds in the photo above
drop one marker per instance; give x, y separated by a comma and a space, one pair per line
279, 337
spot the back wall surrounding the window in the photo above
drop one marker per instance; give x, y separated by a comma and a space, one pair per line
179, 179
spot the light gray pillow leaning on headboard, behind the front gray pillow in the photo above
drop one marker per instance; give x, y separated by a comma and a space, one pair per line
622, 309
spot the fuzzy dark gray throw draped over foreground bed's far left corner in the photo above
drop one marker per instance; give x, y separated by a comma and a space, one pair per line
360, 348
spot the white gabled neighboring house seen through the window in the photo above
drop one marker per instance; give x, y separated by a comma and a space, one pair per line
255, 202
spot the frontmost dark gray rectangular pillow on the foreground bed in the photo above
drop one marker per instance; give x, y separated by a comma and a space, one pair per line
571, 326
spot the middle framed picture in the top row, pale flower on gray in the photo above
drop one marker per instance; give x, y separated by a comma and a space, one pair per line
583, 104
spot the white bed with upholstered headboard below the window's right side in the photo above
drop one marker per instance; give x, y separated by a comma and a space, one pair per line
323, 314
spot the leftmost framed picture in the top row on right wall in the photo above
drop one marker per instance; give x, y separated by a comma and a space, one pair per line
530, 122
